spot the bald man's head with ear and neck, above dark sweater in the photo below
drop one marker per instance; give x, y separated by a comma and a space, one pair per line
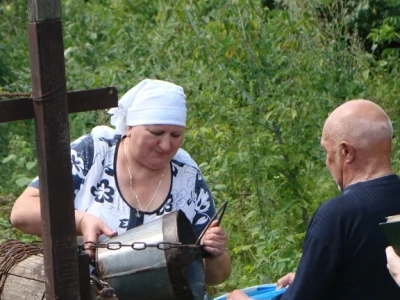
357, 138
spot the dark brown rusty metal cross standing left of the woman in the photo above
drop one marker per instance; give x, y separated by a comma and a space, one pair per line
49, 105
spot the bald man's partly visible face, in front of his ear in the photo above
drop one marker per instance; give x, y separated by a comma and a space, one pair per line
333, 161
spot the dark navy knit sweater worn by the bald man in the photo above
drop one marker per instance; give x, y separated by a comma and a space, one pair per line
344, 248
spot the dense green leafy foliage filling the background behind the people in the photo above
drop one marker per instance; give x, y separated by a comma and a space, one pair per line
261, 77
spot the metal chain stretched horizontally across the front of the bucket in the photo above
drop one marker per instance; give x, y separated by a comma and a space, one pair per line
135, 245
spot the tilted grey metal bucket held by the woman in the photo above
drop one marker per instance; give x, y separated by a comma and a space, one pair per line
151, 273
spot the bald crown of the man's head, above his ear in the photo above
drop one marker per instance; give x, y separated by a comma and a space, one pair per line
359, 122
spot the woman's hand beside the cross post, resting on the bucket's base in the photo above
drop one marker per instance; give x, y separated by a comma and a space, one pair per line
91, 227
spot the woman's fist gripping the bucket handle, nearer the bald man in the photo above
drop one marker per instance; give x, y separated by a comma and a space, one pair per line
215, 240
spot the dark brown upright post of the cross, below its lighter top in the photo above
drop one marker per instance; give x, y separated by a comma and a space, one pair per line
52, 142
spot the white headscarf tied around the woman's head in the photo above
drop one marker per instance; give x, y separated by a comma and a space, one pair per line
150, 102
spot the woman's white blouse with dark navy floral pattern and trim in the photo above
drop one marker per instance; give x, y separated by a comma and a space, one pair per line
95, 190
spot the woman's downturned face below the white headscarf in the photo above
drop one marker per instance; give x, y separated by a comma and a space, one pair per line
154, 145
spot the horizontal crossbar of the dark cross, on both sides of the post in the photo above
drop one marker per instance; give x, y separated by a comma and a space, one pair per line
78, 101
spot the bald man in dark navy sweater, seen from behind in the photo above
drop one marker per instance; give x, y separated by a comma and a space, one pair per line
344, 248
